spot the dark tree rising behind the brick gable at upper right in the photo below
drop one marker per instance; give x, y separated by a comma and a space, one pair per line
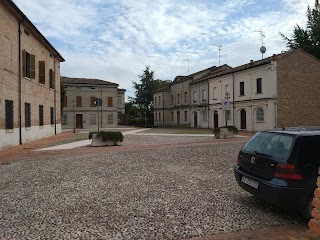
308, 39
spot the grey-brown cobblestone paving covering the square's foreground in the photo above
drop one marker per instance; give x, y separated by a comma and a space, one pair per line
151, 187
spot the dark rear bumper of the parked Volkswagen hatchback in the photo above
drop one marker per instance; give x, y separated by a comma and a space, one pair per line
280, 195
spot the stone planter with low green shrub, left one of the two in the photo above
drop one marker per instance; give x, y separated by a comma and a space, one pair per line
105, 138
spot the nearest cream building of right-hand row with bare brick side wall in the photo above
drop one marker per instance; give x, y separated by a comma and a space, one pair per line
279, 90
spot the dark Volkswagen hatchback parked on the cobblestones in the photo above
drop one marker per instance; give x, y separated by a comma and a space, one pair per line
281, 167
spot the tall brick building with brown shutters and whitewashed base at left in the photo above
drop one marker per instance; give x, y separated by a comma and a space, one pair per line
29, 80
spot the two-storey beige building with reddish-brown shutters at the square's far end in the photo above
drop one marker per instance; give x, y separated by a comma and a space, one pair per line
90, 103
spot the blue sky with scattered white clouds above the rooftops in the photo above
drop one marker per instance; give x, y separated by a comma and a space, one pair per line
114, 40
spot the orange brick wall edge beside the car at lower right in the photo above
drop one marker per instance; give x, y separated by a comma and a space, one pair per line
314, 223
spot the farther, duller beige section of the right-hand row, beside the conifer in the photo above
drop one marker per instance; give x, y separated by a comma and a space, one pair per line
184, 102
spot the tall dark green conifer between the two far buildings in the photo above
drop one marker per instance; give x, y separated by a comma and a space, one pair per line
144, 91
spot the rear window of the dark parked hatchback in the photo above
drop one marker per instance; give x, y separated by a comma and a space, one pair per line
275, 145
